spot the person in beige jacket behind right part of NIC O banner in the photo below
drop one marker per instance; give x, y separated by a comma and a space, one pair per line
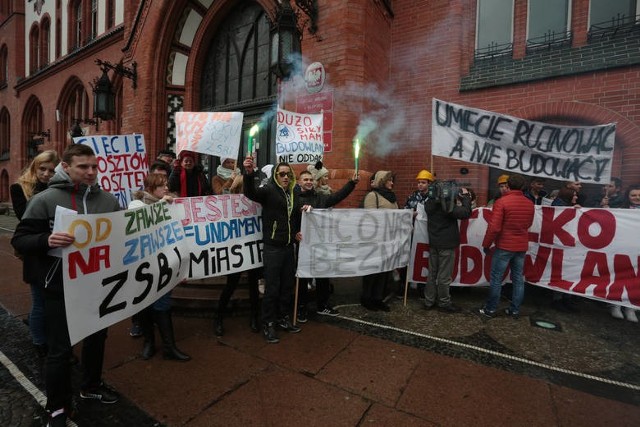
381, 197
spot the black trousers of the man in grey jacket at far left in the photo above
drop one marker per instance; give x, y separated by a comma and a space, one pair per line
58, 369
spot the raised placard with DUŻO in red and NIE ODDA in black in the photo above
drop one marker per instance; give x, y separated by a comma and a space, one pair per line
299, 137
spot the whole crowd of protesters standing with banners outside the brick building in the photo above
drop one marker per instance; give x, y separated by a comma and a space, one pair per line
283, 196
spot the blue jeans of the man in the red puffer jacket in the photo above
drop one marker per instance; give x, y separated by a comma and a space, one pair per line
500, 260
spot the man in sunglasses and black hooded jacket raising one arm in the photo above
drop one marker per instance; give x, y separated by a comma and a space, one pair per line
280, 218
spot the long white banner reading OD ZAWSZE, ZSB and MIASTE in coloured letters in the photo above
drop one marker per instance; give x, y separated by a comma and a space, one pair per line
121, 262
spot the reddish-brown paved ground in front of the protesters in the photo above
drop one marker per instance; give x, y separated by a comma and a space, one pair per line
406, 367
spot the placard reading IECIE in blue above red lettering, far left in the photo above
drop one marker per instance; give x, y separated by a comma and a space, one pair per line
122, 163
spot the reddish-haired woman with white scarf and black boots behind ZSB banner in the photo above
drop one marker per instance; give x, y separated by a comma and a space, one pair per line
156, 190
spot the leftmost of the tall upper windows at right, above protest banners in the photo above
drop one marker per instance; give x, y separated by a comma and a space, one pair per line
494, 27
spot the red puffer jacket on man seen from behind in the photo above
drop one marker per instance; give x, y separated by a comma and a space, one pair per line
509, 227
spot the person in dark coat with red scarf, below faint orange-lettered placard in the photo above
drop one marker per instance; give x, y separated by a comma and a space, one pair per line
187, 178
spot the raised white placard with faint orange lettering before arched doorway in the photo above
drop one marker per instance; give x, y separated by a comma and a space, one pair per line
215, 134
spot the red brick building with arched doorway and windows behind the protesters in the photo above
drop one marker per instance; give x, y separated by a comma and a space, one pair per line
576, 62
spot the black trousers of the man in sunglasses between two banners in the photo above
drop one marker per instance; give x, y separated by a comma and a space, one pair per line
279, 277
